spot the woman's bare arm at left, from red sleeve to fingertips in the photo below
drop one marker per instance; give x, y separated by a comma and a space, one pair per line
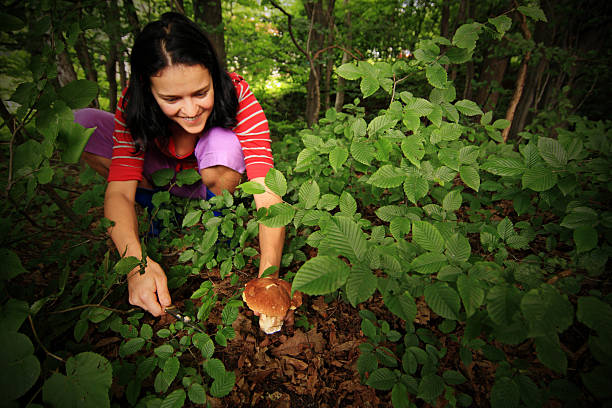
149, 290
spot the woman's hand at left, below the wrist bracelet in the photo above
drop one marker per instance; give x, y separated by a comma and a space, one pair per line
150, 289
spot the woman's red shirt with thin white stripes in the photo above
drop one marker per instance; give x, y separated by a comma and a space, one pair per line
251, 129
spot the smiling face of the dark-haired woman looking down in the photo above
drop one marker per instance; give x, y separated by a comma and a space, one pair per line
185, 94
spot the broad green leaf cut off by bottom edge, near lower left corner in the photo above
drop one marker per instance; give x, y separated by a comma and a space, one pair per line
86, 383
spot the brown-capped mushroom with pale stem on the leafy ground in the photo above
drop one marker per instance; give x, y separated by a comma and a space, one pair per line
271, 298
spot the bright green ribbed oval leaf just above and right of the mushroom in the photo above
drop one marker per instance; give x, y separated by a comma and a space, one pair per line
321, 275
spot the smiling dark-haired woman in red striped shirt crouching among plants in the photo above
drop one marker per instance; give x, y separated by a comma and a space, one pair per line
177, 112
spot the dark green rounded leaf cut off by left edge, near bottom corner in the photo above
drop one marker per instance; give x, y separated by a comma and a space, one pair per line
20, 368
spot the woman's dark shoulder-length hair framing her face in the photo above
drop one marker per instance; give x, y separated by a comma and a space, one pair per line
173, 39
